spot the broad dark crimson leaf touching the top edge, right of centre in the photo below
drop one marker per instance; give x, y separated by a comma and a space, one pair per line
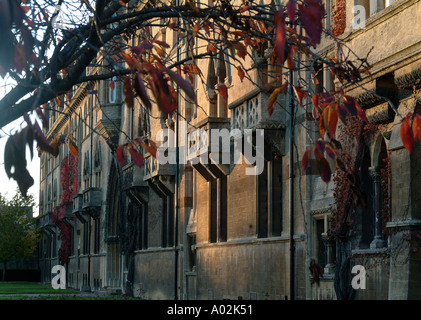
311, 13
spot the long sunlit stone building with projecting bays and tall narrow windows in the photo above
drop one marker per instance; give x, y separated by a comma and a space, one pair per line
203, 230
